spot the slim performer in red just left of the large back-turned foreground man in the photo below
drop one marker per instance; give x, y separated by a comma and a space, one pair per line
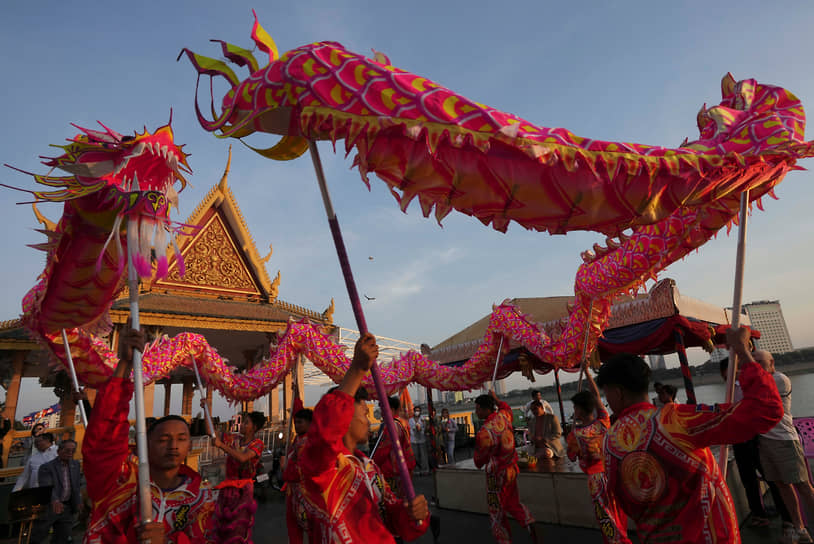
591, 424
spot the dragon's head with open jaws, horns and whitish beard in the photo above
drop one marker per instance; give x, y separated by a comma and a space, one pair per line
115, 177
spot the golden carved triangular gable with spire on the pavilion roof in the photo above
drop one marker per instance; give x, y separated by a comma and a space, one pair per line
221, 257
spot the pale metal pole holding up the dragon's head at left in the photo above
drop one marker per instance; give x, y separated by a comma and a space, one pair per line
144, 493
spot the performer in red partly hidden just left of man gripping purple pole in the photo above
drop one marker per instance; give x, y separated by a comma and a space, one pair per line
295, 516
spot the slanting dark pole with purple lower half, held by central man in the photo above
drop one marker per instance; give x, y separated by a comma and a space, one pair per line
355, 303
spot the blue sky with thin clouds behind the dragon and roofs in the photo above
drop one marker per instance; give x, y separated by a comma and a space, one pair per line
632, 71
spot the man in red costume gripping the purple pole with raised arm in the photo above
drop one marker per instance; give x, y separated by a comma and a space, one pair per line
344, 492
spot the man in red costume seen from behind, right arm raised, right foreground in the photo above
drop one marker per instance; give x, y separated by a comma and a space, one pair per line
658, 462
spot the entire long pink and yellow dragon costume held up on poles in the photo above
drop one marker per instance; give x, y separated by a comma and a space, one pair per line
655, 204
